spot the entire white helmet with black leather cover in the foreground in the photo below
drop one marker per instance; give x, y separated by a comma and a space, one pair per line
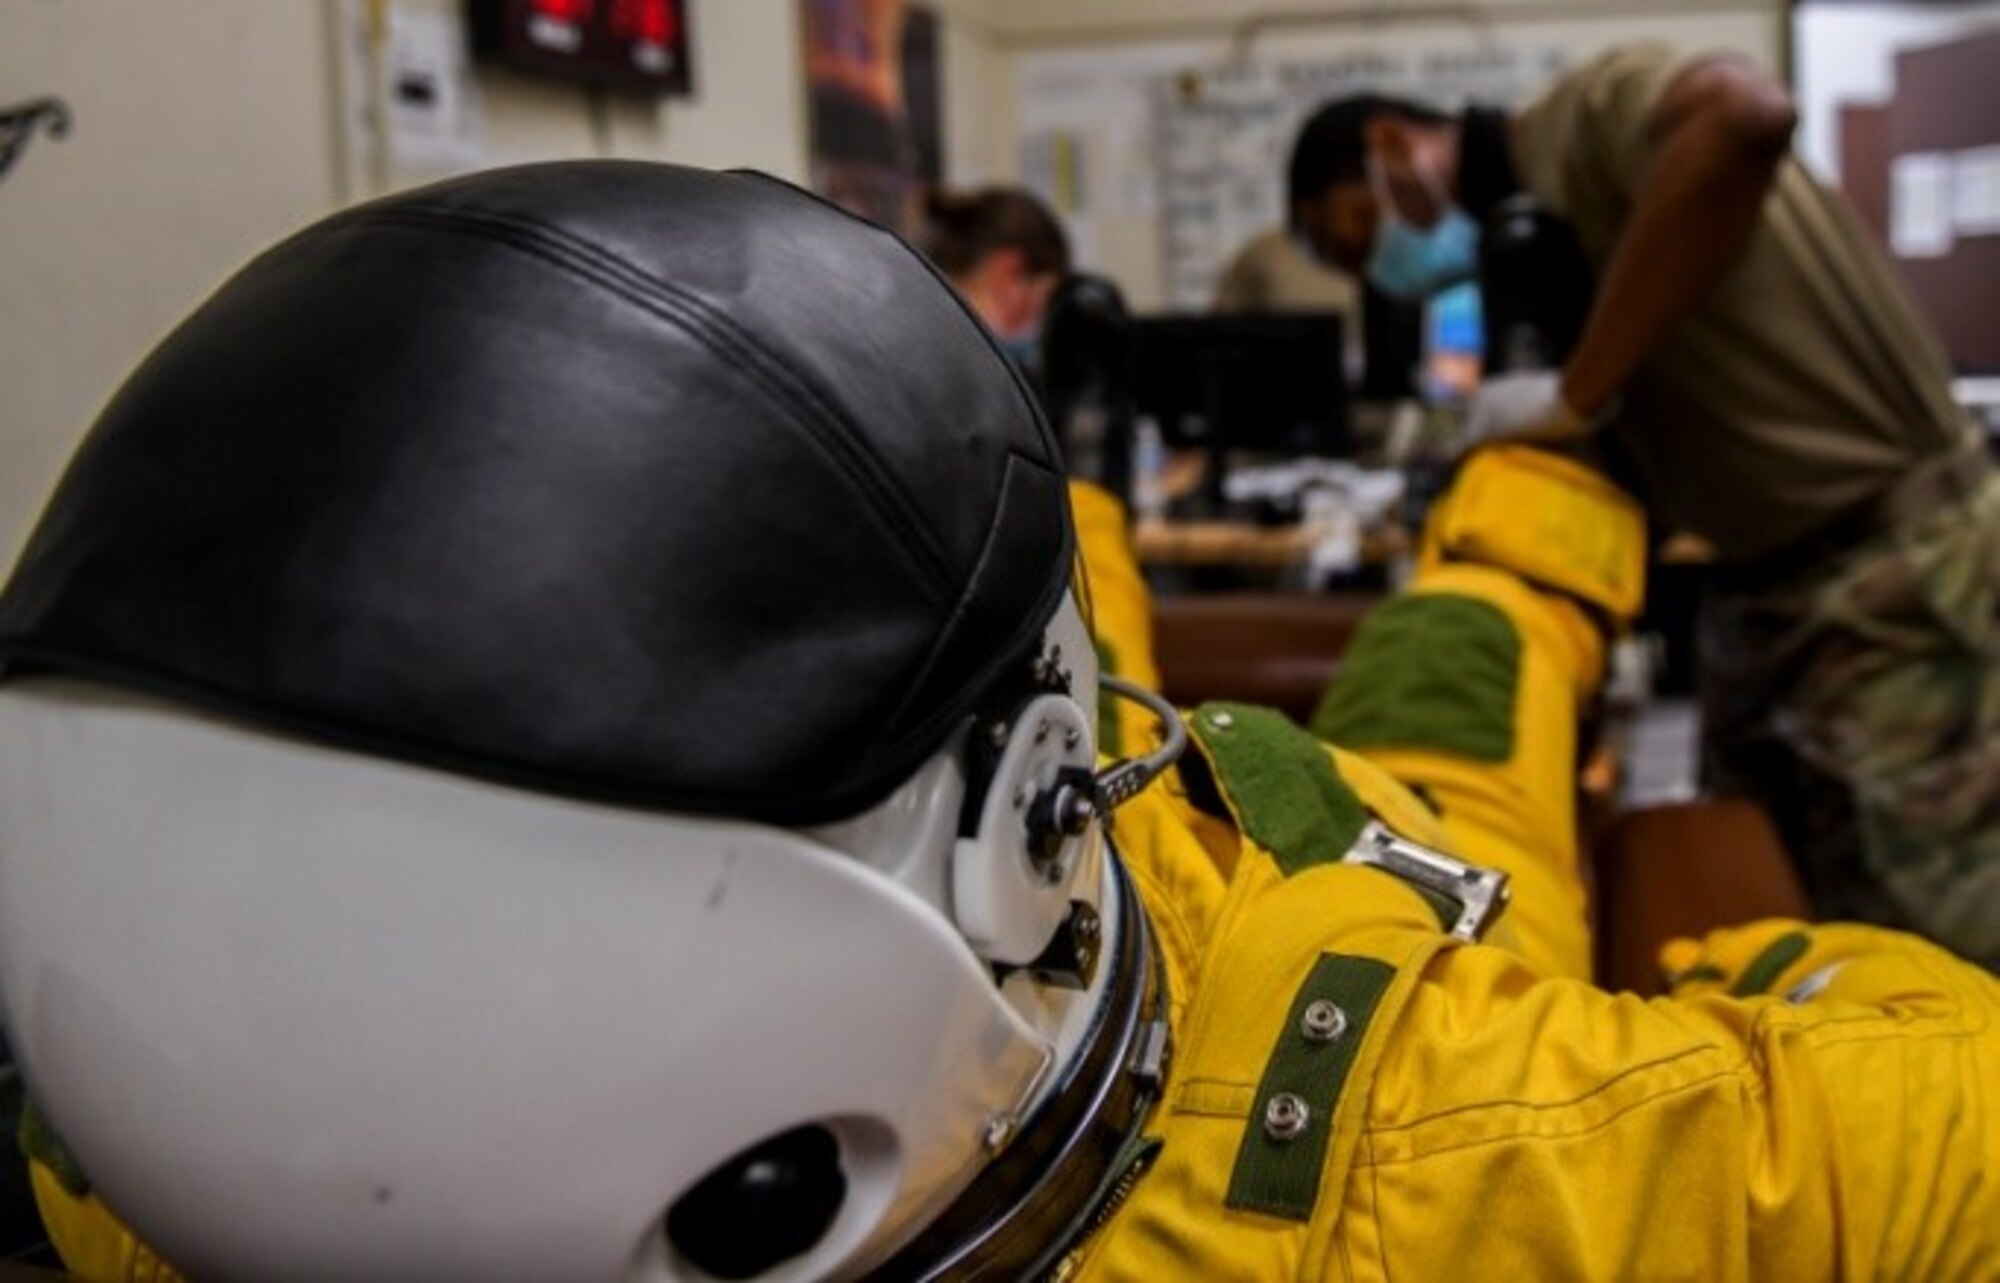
615, 814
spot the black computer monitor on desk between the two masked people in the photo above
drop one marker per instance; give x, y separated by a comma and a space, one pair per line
1257, 383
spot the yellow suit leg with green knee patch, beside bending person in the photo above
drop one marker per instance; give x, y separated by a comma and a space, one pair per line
1471, 688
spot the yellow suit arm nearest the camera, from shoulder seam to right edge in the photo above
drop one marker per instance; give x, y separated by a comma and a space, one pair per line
1813, 1104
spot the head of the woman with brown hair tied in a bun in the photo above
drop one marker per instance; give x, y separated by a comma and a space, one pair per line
1005, 255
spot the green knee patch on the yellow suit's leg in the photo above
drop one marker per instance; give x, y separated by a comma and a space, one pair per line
1427, 672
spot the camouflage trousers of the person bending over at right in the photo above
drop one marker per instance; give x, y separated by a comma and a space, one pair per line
1863, 702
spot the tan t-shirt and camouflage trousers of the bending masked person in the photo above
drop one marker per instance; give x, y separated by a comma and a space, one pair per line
1801, 421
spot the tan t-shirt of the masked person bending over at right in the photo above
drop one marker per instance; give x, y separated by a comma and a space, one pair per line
1803, 387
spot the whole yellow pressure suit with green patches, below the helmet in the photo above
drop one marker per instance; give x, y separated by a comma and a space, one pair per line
1811, 1104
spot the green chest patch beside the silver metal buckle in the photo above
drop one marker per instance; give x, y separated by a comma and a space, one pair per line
1281, 784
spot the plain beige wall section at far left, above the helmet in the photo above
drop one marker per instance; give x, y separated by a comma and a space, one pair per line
201, 133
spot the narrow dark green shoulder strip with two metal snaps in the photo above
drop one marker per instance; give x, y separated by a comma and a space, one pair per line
1293, 1120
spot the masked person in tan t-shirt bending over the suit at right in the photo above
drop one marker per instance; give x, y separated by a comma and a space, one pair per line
1767, 375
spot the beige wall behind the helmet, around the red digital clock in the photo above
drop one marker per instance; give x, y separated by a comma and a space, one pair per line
207, 129
